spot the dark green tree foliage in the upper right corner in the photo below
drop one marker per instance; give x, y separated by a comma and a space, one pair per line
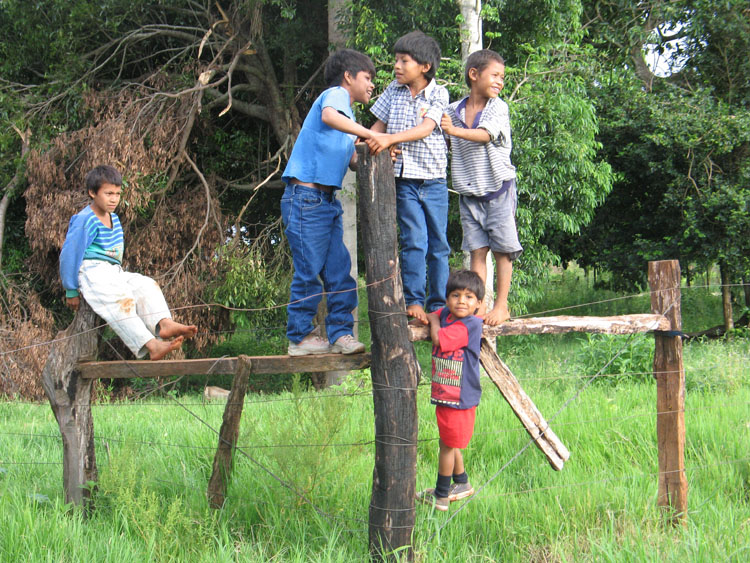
679, 144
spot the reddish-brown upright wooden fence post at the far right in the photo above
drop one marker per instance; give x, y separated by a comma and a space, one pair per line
664, 281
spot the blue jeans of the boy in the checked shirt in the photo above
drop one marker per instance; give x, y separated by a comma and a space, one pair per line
422, 212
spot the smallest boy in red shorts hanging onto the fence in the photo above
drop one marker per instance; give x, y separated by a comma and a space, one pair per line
456, 333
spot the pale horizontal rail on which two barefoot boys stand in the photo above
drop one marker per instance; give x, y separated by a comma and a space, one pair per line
622, 324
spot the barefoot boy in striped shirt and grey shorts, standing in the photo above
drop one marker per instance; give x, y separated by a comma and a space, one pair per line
479, 129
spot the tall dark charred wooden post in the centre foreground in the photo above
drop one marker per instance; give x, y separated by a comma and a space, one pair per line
394, 364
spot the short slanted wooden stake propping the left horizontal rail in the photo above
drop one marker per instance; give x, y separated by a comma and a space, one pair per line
230, 431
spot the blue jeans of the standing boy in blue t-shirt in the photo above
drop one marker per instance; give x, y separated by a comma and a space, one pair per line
313, 227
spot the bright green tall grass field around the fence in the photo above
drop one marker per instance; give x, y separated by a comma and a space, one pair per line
302, 491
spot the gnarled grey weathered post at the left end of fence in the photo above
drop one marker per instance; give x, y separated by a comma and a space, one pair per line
70, 398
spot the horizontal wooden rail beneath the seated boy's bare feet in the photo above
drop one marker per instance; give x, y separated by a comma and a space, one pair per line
207, 366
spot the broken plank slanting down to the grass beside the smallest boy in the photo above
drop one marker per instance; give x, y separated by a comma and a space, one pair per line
523, 407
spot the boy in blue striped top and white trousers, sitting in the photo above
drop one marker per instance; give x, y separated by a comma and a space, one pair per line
90, 265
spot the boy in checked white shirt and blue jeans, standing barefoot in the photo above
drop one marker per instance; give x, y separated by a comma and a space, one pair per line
410, 110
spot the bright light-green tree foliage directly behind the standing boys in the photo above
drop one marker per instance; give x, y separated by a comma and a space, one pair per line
561, 176
